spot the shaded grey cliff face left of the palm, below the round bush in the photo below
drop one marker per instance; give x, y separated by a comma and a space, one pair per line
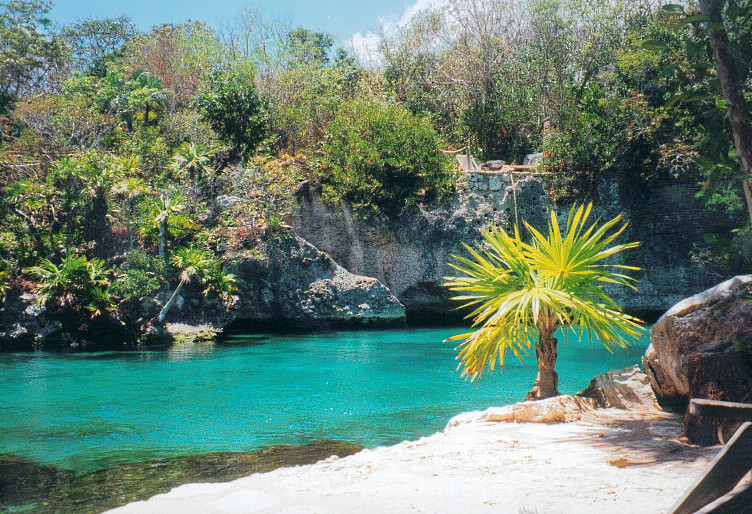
410, 255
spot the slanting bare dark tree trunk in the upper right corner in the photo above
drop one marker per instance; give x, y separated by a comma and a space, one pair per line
731, 88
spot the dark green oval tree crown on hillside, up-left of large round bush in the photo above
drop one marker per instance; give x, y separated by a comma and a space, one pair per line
235, 111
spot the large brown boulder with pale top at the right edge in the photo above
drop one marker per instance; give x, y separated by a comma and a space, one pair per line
702, 346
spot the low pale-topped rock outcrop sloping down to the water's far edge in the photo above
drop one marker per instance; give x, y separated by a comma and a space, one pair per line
296, 287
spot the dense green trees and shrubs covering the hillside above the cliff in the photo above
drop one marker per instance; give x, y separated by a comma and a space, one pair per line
119, 150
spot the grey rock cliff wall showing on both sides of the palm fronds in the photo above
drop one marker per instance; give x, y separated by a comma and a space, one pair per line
410, 255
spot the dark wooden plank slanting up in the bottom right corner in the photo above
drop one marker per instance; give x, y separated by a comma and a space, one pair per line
723, 473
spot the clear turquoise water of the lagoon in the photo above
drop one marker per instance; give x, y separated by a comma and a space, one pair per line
90, 411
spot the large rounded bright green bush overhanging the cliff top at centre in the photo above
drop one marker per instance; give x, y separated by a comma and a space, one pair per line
379, 156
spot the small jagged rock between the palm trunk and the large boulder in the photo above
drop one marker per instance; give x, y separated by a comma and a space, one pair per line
627, 388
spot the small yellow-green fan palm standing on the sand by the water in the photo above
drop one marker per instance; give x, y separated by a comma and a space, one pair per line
525, 291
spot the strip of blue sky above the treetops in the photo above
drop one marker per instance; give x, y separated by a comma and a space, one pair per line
341, 18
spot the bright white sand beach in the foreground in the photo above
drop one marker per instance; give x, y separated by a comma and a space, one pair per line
609, 461
